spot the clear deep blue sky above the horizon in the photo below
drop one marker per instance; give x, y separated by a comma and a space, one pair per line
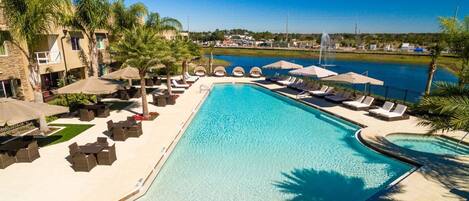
310, 16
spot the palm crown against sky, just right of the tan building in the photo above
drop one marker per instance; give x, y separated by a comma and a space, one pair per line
126, 17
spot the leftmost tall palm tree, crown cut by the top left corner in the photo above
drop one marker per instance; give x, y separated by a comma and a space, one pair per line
27, 20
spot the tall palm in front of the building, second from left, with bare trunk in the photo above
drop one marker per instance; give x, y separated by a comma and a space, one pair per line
90, 16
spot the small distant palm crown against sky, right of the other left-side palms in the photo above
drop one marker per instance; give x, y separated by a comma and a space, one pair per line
155, 21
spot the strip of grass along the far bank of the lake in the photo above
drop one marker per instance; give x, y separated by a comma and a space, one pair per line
448, 62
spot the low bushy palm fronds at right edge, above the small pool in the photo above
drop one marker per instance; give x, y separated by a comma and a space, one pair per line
446, 108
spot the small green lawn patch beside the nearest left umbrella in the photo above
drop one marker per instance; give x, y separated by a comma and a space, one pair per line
69, 132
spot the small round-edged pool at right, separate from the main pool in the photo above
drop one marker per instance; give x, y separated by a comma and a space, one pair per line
429, 144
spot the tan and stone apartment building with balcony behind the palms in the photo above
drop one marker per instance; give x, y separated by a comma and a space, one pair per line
58, 53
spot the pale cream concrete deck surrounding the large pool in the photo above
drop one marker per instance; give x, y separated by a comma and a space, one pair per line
51, 178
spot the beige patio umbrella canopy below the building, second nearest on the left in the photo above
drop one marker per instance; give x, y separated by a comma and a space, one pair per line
92, 86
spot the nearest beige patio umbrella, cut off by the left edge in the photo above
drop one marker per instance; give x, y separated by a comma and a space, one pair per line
14, 111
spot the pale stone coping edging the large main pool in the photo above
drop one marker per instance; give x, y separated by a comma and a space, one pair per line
143, 186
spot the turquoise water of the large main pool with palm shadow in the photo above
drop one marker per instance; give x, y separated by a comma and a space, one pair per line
248, 143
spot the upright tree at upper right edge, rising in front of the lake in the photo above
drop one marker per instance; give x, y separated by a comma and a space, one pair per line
457, 36
